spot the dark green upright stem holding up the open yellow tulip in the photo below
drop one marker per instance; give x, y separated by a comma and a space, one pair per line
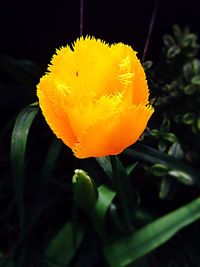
121, 192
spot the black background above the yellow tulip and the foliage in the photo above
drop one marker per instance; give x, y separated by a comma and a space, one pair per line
33, 29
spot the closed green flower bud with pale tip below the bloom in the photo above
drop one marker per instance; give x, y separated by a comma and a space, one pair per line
85, 191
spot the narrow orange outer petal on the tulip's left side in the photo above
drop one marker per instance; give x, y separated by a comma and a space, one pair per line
49, 100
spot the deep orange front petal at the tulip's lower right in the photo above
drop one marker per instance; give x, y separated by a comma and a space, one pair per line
110, 136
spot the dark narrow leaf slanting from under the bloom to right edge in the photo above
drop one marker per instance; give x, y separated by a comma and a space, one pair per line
154, 156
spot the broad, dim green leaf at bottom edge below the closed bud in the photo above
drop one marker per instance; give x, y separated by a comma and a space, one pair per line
63, 246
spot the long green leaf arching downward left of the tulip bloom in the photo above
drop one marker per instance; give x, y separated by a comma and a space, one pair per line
18, 148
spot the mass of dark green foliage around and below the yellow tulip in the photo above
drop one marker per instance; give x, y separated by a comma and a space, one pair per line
119, 209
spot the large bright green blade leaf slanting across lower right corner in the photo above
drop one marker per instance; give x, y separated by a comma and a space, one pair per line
129, 249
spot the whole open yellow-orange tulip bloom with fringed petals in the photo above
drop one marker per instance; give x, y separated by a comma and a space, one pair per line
95, 97
